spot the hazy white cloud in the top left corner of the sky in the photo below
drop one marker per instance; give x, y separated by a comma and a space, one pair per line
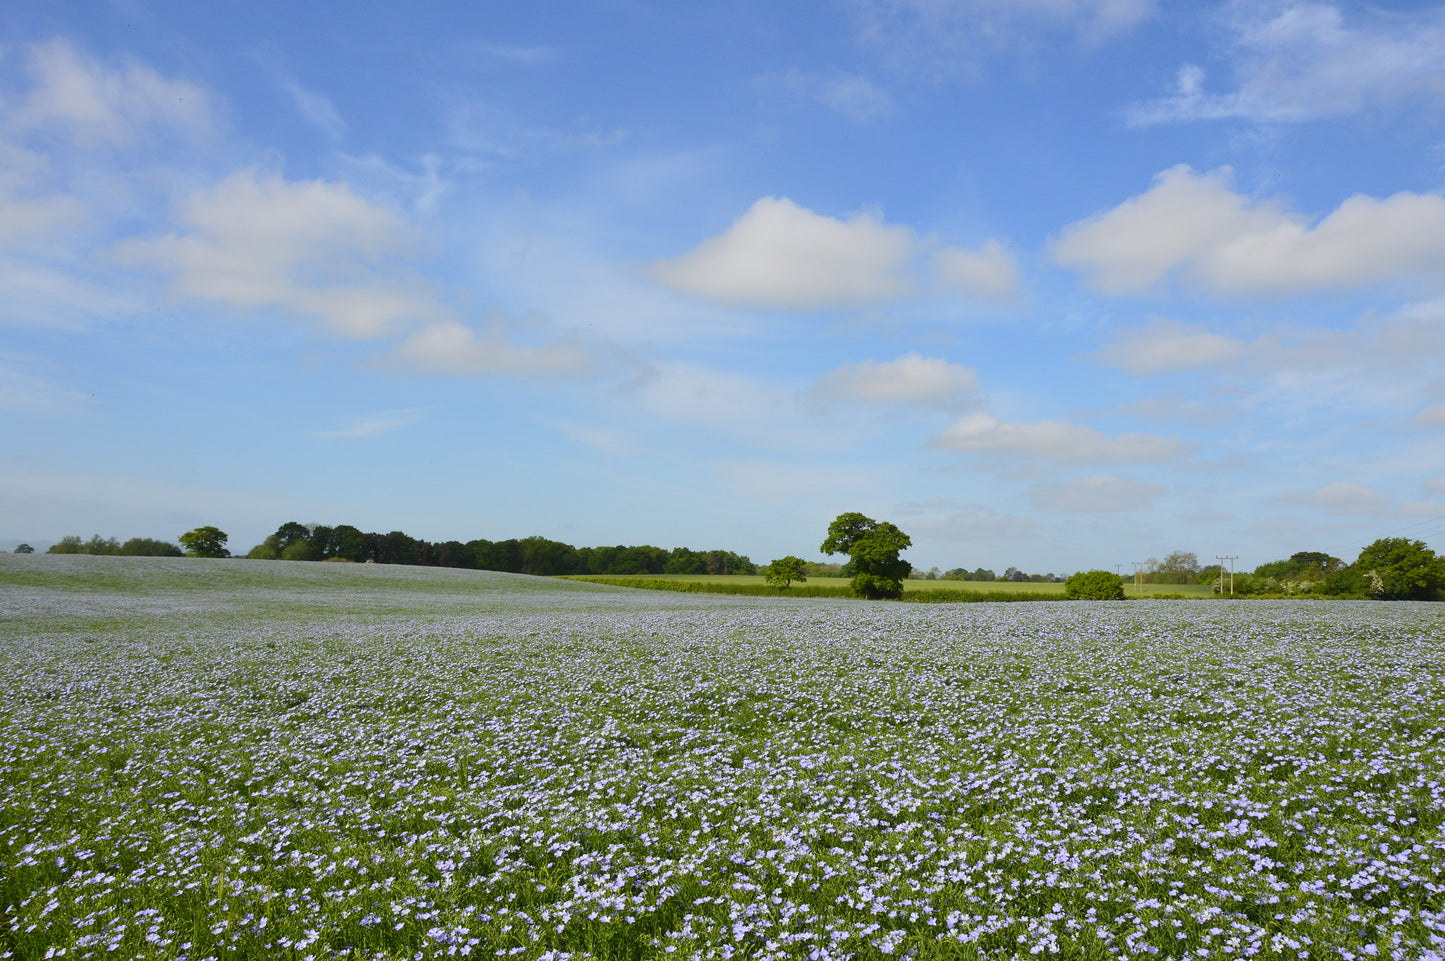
98, 106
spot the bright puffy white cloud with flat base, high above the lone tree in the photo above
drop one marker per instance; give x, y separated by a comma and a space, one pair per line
780, 255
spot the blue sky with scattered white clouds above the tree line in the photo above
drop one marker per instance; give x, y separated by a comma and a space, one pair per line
1050, 284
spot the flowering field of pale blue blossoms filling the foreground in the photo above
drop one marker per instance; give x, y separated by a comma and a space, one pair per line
232, 759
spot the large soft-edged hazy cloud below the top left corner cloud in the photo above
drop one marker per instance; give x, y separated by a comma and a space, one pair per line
307, 248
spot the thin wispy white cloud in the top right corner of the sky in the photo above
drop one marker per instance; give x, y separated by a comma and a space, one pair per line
1301, 61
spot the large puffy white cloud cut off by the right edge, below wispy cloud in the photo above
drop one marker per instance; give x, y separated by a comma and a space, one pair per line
1228, 244
